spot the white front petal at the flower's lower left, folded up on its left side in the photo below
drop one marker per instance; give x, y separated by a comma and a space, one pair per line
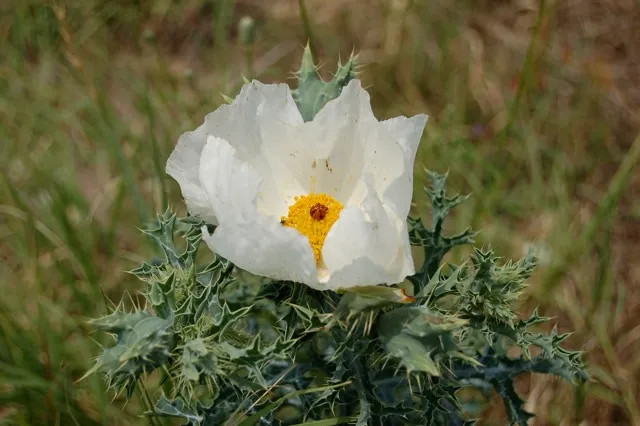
254, 242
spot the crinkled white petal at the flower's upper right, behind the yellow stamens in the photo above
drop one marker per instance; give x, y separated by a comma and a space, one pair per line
349, 142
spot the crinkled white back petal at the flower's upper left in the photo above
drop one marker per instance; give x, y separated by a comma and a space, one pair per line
241, 123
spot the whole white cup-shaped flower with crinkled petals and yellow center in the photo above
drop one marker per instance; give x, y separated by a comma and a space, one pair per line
323, 203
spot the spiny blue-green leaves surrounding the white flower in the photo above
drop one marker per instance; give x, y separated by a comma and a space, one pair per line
236, 349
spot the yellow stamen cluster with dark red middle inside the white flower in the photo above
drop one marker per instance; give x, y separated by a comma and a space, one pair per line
313, 215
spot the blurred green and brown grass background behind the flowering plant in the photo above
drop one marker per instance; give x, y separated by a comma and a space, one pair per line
534, 109
